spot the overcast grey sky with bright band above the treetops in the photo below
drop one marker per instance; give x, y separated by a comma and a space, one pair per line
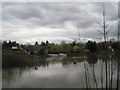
56, 22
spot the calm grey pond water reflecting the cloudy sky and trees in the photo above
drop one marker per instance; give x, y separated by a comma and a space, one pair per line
54, 72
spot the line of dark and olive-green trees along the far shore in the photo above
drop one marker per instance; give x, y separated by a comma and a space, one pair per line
63, 47
